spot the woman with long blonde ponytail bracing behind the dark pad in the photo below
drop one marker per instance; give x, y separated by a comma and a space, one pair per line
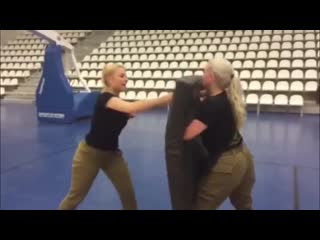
230, 171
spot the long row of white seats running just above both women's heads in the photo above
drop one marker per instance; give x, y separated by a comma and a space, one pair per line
298, 54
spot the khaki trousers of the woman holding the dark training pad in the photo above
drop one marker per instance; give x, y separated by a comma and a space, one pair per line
233, 176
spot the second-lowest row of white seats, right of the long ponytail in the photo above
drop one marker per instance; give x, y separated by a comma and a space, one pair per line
298, 86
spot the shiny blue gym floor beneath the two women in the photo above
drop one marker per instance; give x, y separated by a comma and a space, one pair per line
36, 161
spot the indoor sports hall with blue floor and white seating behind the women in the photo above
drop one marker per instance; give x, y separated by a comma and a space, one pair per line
279, 74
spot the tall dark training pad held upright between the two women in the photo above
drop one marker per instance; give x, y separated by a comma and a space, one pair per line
183, 158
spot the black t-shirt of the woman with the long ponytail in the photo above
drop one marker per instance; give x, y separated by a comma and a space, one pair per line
221, 134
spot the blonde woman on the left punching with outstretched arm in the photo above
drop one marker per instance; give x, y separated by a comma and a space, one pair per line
100, 149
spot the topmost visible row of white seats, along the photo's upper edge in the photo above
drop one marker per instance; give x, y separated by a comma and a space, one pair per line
213, 32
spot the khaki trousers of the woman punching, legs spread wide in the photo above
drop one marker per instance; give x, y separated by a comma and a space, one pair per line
86, 164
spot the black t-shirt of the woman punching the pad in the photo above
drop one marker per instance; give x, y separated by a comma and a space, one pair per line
106, 125
